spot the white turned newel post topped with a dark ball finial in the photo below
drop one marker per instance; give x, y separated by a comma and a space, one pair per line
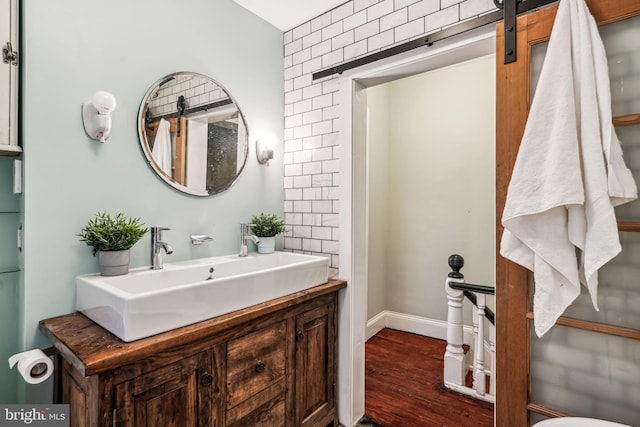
454, 365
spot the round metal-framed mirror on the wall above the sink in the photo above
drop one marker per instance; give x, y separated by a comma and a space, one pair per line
193, 133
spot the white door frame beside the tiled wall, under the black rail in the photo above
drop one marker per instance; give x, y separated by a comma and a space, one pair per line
352, 310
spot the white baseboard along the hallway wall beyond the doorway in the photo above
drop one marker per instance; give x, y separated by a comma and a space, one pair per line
424, 326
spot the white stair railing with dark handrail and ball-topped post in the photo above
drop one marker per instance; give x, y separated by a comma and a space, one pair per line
457, 363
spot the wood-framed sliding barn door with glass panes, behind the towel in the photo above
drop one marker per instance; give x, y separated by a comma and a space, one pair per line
589, 364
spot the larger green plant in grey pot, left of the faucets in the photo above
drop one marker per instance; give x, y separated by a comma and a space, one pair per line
111, 237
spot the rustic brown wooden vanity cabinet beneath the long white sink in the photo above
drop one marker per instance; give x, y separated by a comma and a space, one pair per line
269, 365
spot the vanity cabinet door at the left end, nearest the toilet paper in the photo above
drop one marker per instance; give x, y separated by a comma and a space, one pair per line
180, 394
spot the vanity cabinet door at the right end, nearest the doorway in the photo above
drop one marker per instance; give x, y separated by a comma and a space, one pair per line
315, 368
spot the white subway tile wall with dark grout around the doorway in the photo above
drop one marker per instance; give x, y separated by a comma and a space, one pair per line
312, 111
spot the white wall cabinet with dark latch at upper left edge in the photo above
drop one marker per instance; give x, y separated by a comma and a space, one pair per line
9, 78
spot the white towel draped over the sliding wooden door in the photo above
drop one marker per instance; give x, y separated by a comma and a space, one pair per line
569, 173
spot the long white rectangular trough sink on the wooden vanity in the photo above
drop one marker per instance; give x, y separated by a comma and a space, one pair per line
146, 302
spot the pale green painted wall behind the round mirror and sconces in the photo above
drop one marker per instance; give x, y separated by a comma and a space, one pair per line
72, 48
